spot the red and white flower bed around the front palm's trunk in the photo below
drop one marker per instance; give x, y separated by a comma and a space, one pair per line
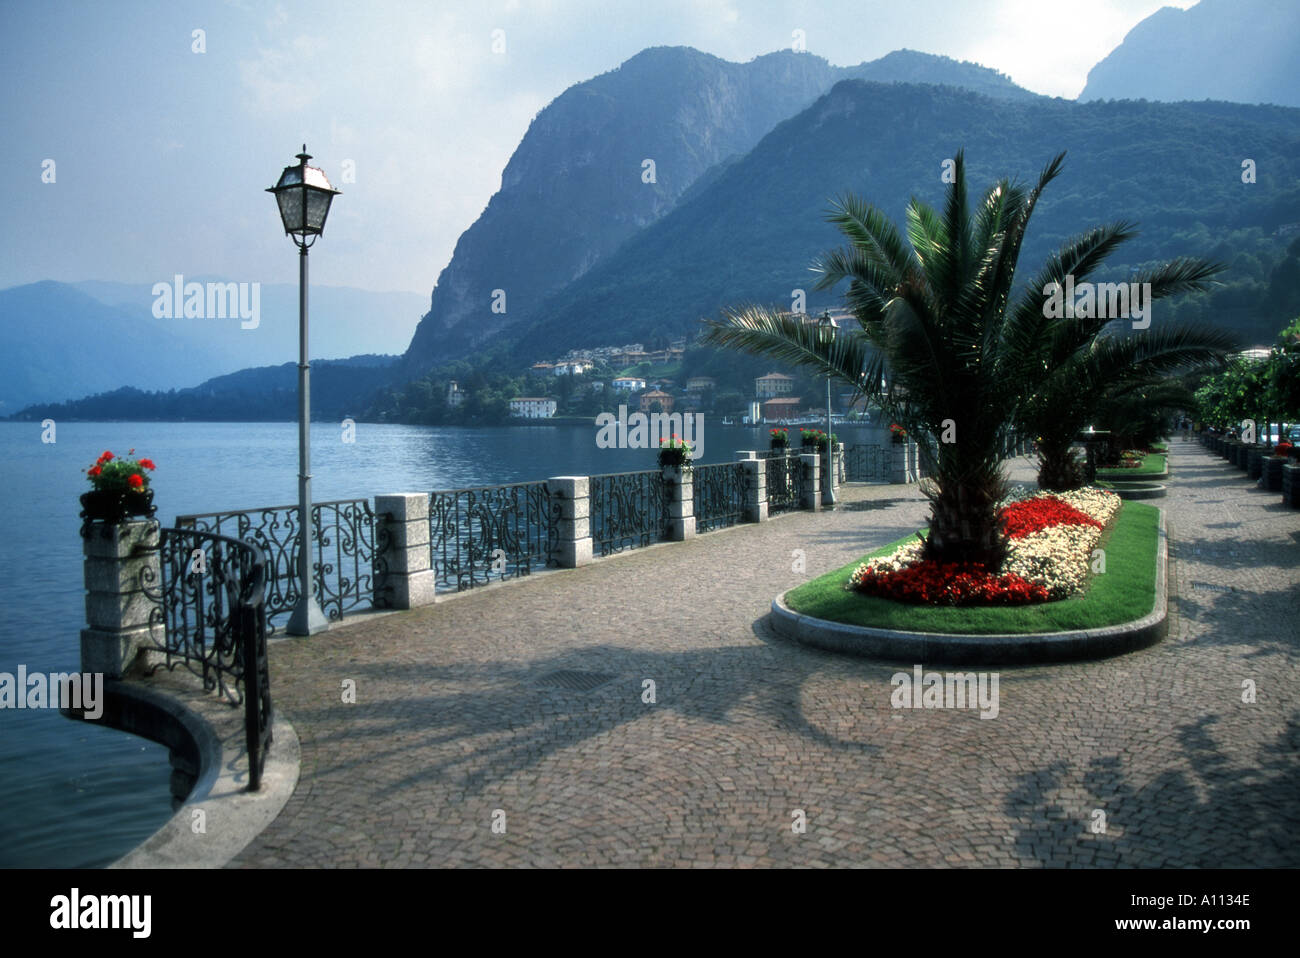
1051, 543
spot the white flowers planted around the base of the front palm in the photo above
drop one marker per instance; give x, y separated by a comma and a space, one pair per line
1059, 557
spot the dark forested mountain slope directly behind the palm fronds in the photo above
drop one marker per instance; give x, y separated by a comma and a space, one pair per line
751, 235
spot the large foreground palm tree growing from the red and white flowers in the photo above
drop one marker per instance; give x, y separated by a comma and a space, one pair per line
963, 348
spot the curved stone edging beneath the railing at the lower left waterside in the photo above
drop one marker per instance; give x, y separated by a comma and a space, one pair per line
209, 734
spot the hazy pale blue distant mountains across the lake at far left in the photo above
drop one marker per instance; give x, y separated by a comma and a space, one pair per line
73, 340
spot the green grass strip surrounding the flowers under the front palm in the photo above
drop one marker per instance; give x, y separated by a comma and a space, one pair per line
1124, 593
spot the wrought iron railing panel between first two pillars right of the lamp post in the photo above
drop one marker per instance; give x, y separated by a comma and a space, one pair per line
492, 534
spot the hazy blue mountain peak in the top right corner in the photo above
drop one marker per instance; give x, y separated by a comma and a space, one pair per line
1245, 51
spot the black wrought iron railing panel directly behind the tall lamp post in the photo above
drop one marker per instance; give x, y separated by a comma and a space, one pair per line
348, 544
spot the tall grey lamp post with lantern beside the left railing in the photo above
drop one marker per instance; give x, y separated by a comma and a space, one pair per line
304, 196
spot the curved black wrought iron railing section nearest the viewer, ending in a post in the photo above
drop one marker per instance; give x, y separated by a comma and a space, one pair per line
210, 615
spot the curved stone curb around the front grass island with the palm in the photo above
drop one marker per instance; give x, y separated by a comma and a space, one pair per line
985, 651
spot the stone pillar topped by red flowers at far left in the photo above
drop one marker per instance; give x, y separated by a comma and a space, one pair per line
122, 560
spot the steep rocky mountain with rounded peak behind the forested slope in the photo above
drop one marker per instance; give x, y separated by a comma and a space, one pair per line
580, 185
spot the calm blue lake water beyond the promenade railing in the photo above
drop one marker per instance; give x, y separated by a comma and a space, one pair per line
75, 795
